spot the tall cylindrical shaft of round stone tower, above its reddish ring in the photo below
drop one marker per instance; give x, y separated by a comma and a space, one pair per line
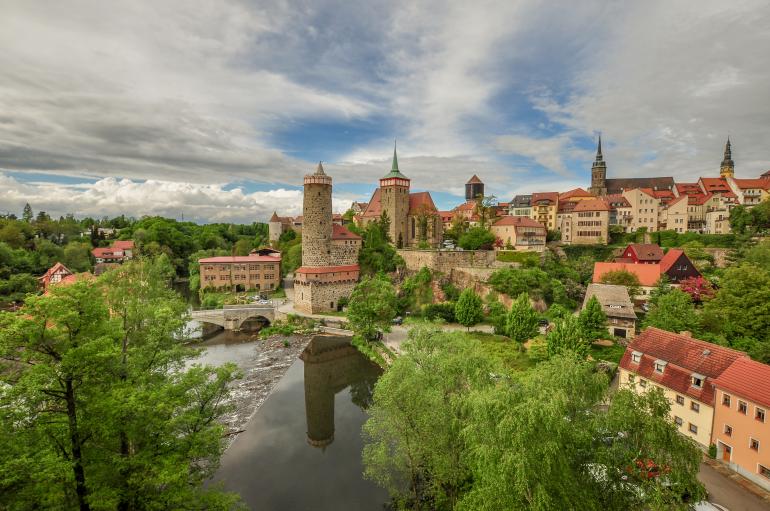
317, 219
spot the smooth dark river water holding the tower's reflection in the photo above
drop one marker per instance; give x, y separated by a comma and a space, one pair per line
309, 457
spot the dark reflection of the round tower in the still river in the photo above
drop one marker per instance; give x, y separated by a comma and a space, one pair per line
331, 365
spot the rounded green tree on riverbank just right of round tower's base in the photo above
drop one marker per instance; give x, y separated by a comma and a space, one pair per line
372, 307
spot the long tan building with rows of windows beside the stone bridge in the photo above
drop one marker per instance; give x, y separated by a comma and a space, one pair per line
241, 273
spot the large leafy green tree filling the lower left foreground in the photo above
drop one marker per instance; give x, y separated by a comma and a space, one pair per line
115, 417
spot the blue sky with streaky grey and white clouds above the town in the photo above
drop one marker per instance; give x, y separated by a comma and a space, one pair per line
213, 110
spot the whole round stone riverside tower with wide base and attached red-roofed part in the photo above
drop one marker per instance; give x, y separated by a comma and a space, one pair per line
329, 268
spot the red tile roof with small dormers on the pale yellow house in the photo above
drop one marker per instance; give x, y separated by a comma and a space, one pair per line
684, 356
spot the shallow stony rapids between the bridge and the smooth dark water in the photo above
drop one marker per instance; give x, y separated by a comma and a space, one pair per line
262, 364
